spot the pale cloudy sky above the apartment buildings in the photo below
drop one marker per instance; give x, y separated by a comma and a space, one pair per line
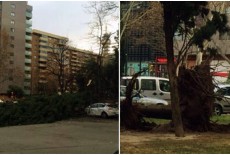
68, 19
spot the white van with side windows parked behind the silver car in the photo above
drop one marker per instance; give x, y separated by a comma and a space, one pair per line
149, 86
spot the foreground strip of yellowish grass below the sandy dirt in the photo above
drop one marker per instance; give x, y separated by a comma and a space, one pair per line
206, 144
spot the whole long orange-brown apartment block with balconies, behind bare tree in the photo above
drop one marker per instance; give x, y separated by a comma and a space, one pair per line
42, 79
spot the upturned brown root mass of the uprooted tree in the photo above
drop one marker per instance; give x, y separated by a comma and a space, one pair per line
196, 97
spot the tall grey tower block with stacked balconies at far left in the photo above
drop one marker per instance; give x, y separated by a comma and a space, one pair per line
15, 20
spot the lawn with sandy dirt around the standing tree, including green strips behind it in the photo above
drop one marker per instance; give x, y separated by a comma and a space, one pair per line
193, 142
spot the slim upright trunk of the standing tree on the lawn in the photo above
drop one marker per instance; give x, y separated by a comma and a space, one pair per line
169, 33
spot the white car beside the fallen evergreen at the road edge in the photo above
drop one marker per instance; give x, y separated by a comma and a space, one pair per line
102, 109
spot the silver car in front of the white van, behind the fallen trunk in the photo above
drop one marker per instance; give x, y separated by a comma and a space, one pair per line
138, 98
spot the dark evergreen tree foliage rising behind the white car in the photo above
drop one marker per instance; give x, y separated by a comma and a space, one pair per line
94, 80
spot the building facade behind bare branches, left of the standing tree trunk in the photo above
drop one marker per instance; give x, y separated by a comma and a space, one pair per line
142, 43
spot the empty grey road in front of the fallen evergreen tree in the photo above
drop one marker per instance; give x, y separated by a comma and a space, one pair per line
82, 135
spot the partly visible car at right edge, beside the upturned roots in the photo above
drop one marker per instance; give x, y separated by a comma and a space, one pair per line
222, 100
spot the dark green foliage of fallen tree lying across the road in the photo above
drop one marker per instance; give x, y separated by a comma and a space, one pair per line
42, 109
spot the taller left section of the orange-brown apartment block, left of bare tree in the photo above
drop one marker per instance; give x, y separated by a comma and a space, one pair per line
41, 48
